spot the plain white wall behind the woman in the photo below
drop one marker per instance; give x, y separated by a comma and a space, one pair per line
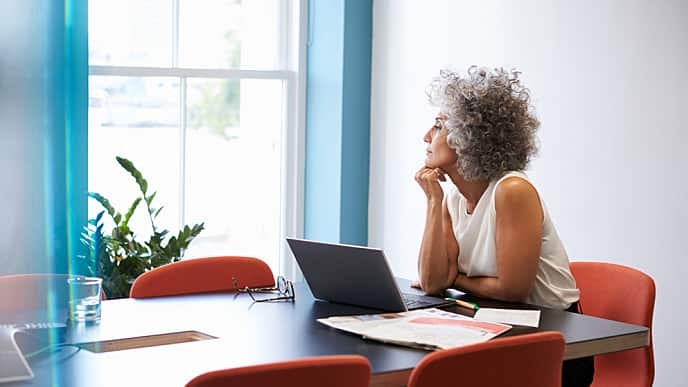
609, 82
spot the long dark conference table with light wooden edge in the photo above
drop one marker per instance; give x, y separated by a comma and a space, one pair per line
250, 333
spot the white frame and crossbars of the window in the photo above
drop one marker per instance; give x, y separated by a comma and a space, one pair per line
293, 57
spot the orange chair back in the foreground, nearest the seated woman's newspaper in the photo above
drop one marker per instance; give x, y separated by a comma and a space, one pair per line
532, 360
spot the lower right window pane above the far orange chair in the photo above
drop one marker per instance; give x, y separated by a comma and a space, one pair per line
233, 167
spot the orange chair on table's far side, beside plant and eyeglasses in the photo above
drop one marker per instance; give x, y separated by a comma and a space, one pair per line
202, 275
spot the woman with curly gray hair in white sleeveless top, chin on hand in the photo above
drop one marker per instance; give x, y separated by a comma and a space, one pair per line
490, 233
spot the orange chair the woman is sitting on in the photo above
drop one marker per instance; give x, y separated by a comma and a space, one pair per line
623, 294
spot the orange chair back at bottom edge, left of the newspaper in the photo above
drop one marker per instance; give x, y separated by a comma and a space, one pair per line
331, 371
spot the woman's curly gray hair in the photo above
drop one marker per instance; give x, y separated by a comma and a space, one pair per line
488, 119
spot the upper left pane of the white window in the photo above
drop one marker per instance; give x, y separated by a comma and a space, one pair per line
130, 32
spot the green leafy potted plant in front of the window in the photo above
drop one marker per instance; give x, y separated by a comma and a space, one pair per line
118, 257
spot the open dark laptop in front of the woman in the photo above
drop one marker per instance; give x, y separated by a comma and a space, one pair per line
354, 275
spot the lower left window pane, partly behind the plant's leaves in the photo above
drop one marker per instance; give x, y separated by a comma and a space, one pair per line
135, 118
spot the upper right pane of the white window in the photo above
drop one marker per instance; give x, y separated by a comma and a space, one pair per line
230, 34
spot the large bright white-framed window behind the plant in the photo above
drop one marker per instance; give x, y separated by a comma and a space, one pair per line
204, 98
